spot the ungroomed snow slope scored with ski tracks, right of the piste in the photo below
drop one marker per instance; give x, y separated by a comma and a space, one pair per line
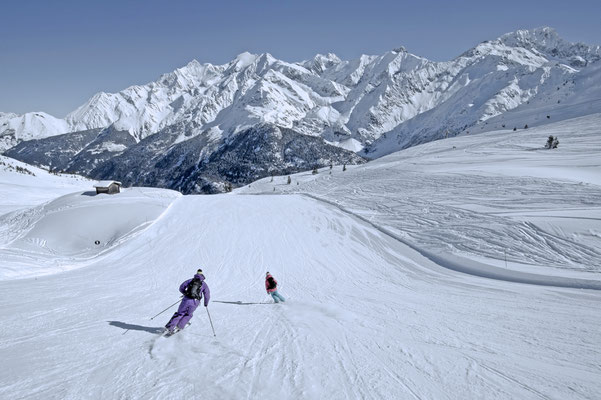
541, 206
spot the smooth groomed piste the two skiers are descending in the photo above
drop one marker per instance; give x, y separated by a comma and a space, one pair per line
366, 317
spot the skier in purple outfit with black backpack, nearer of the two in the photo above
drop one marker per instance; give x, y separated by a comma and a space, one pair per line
193, 291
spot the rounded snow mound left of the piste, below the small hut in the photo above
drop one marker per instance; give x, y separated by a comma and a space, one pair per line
79, 225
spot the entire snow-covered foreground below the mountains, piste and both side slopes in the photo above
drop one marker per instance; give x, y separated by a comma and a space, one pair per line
394, 275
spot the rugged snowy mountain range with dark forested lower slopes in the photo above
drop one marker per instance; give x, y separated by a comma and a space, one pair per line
204, 125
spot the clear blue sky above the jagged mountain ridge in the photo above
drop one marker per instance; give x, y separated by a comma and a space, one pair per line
54, 55
